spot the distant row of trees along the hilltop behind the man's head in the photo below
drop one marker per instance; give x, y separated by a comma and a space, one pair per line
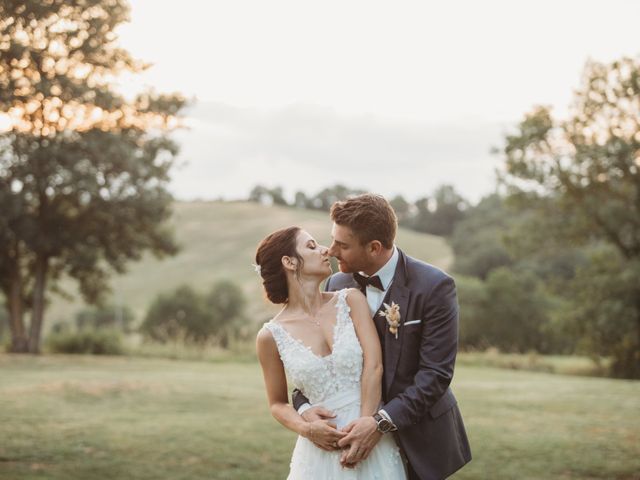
436, 214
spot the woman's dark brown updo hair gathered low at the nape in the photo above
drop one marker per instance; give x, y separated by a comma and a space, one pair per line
281, 243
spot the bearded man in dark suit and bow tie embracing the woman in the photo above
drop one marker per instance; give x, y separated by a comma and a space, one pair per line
419, 349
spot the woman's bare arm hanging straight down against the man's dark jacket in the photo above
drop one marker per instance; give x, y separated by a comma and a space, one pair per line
370, 343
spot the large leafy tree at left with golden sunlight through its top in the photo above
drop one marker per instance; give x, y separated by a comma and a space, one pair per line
83, 170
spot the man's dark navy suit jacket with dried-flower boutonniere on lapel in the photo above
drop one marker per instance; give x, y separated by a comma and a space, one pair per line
418, 367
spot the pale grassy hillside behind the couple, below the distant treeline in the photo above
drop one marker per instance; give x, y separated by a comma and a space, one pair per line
218, 241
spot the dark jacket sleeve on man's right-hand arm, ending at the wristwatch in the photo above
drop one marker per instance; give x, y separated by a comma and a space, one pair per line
438, 348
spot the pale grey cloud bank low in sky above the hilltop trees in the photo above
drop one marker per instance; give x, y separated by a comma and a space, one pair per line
230, 149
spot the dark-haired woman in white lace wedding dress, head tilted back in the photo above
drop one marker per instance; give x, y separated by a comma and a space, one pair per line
328, 346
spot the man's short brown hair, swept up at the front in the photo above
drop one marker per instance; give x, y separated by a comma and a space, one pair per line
369, 216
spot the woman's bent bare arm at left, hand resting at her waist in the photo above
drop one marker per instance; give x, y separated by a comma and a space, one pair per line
275, 381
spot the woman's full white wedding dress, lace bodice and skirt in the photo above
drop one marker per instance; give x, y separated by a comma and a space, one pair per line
333, 382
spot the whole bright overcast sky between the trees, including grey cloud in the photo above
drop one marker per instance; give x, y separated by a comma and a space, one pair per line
393, 97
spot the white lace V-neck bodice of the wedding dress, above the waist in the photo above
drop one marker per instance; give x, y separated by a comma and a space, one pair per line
318, 377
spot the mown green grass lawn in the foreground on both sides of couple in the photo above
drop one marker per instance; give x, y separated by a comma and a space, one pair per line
72, 418
